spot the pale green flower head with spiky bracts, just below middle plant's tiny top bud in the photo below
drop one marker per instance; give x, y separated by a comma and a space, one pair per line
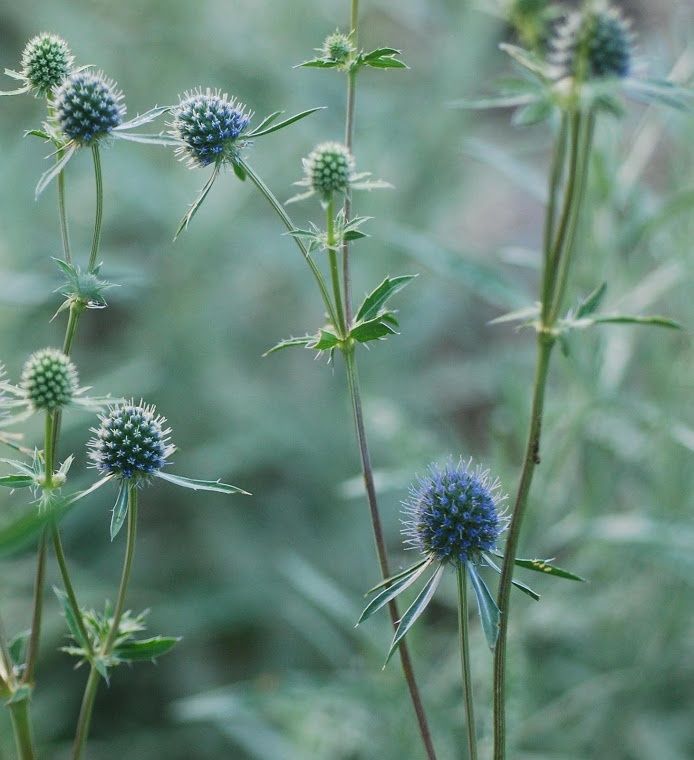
330, 169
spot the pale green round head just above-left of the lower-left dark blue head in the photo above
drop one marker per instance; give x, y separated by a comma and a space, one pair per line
49, 379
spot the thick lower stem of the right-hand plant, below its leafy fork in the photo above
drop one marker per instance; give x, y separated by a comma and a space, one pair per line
532, 459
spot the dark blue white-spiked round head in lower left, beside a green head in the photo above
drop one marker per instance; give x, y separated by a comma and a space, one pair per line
131, 442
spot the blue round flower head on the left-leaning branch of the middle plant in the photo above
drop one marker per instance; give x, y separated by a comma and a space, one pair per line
208, 124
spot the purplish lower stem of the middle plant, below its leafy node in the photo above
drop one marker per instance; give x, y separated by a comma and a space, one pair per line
381, 550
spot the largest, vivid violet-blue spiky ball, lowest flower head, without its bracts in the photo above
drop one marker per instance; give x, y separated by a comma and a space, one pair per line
453, 513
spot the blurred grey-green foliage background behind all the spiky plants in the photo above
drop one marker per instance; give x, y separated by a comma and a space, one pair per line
265, 591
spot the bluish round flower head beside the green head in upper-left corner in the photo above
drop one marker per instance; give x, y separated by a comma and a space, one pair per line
88, 106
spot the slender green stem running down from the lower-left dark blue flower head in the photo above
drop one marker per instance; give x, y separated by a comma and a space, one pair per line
92, 685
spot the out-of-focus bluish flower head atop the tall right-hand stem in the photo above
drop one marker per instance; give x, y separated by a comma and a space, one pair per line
592, 44
